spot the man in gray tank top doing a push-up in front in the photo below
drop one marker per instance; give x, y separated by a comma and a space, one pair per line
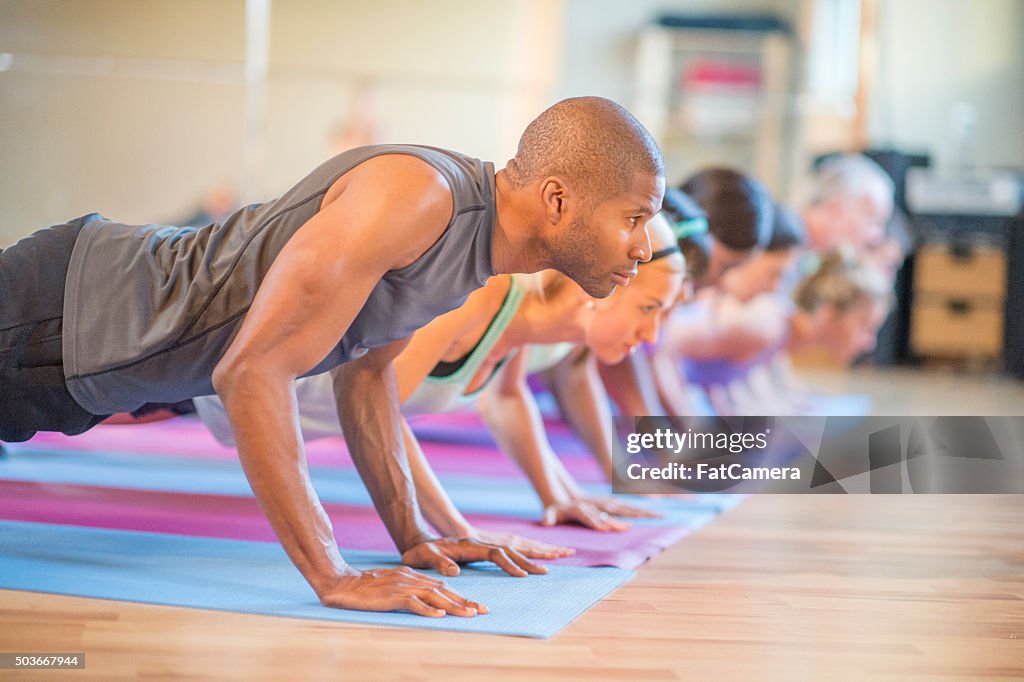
99, 318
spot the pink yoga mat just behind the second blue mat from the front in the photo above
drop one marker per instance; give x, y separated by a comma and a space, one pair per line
188, 438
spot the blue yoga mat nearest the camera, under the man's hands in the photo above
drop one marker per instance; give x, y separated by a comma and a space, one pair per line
258, 578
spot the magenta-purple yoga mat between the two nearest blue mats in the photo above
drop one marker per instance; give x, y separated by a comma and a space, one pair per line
241, 519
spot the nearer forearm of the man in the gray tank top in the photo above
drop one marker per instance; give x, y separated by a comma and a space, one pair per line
264, 419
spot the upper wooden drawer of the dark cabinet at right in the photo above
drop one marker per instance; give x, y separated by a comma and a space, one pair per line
982, 272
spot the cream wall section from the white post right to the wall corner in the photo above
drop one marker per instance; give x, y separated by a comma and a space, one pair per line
458, 74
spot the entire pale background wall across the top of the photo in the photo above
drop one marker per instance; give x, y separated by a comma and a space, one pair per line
135, 109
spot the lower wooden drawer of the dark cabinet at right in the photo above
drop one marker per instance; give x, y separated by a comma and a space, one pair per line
957, 327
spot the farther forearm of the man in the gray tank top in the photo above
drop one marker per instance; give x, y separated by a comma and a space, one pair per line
368, 410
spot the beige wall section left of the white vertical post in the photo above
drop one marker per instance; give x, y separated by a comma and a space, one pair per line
82, 134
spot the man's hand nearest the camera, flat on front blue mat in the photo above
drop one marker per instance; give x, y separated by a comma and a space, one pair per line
396, 590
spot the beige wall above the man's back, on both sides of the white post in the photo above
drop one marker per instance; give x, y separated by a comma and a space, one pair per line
136, 109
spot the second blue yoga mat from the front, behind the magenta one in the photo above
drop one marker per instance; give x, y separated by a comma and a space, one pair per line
475, 495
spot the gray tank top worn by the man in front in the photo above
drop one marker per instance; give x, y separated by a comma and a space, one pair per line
151, 310
